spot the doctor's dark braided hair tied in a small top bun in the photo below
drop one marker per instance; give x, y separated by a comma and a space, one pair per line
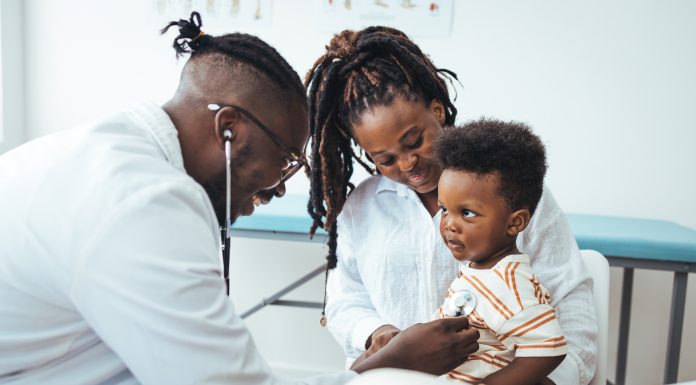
240, 47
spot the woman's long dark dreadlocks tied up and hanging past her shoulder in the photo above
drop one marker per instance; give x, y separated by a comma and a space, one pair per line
359, 70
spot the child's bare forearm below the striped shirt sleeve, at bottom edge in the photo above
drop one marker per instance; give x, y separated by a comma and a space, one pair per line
526, 371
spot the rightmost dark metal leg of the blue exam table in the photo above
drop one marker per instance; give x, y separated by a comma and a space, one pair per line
676, 322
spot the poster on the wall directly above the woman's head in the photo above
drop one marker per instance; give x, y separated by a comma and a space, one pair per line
418, 18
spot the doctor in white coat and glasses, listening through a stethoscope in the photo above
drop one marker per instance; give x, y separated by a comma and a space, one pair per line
110, 270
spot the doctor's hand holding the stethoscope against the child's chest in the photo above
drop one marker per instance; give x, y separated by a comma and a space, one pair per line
435, 347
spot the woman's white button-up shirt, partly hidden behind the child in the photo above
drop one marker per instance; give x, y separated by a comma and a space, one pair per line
393, 268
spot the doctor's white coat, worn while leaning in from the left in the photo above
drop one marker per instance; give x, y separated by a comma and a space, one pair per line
110, 269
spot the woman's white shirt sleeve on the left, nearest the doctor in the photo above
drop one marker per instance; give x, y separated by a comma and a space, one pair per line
351, 316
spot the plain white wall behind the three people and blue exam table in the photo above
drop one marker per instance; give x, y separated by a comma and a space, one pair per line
609, 86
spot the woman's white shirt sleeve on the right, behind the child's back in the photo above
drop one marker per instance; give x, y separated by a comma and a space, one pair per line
558, 265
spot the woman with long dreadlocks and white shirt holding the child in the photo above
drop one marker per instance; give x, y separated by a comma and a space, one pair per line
374, 88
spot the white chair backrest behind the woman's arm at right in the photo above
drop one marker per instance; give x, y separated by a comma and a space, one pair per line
599, 271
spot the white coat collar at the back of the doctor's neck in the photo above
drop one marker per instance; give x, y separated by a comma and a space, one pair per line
160, 125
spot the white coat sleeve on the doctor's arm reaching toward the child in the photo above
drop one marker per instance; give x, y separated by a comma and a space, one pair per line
148, 282
